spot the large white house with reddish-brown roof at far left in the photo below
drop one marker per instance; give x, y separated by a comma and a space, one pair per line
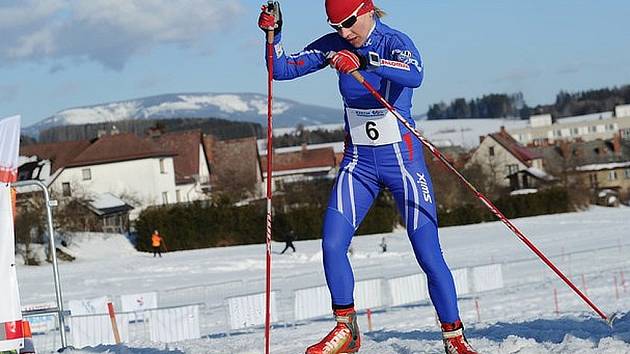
134, 169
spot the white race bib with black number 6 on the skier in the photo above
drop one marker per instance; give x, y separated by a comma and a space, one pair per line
372, 126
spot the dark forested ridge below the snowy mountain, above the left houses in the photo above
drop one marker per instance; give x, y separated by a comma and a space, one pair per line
220, 128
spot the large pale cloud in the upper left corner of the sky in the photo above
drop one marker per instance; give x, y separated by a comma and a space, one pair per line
109, 32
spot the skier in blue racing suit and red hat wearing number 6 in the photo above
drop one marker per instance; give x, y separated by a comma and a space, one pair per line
379, 152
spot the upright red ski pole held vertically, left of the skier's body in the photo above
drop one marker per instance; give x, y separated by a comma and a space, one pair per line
270, 36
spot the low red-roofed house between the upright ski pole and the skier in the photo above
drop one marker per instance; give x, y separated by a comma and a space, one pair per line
302, 165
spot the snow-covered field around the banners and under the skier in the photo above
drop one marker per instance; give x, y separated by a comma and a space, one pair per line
592, 248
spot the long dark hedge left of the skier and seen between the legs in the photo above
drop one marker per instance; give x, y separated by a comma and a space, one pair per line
201, 225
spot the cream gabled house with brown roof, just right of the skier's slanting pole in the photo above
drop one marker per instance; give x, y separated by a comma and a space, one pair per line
508, 162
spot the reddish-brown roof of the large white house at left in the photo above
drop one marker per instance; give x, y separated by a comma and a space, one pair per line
116, 148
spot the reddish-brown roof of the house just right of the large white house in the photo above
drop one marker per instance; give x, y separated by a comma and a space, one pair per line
186, 145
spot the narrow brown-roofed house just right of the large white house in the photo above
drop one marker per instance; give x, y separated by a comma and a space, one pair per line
192, 170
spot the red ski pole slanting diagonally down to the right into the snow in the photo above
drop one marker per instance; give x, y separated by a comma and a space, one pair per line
479, 195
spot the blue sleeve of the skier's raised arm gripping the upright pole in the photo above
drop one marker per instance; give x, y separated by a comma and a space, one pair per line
311, 59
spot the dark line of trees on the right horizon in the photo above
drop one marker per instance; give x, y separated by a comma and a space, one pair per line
514, 105
